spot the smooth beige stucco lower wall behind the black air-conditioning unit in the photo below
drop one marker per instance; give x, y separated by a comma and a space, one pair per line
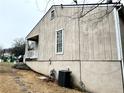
98, 77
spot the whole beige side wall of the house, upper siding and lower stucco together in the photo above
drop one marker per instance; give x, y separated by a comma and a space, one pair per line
94, 45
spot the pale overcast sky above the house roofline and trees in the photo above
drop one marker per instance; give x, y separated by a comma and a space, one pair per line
18, 17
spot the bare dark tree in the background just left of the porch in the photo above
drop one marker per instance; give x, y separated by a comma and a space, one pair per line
18, 47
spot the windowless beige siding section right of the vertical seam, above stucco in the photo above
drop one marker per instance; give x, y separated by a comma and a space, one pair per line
98, 35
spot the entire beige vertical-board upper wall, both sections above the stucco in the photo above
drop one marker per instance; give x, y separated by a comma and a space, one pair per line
96, 39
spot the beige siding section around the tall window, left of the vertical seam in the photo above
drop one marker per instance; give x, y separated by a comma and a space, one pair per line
48, 31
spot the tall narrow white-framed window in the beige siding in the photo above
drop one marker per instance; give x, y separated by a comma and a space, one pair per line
59, 42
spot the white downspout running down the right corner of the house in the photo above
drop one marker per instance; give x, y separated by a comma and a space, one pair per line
119, 43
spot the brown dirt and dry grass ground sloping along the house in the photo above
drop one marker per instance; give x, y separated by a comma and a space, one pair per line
23, 81
